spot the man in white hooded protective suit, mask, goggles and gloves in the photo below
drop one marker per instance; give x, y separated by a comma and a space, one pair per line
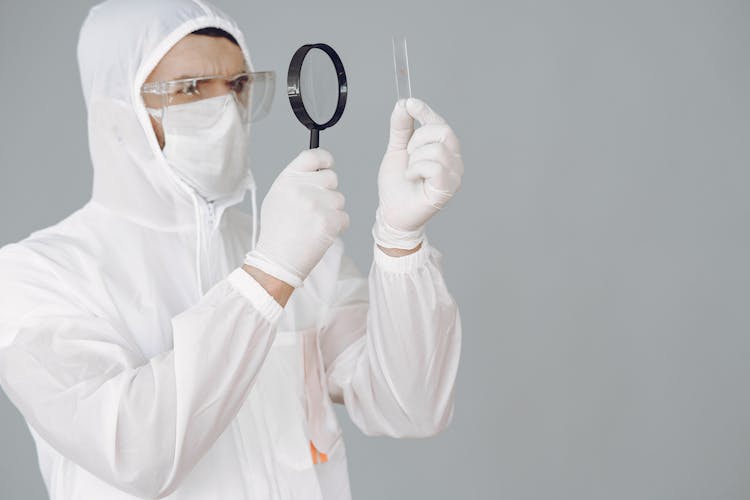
160, 343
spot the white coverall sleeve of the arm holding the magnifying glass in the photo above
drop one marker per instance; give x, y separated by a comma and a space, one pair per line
138, 424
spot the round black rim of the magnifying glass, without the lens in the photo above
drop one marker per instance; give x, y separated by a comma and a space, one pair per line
295, 90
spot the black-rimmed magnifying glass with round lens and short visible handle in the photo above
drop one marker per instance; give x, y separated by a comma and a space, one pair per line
317, 88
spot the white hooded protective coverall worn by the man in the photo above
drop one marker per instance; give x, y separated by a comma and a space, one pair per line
149, 367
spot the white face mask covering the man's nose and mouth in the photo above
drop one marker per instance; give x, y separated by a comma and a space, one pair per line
206, 143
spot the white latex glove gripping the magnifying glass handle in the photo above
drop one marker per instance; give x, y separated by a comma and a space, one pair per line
300, 217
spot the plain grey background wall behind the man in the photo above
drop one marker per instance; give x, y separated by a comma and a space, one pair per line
598, 248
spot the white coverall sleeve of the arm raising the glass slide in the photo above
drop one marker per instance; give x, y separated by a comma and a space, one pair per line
391, 344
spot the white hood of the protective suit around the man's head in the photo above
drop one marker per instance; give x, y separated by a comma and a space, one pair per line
120, 43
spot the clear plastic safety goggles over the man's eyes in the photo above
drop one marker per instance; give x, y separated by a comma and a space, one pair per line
253, 92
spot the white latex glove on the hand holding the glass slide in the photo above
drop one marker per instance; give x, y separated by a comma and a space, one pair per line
420, 172
